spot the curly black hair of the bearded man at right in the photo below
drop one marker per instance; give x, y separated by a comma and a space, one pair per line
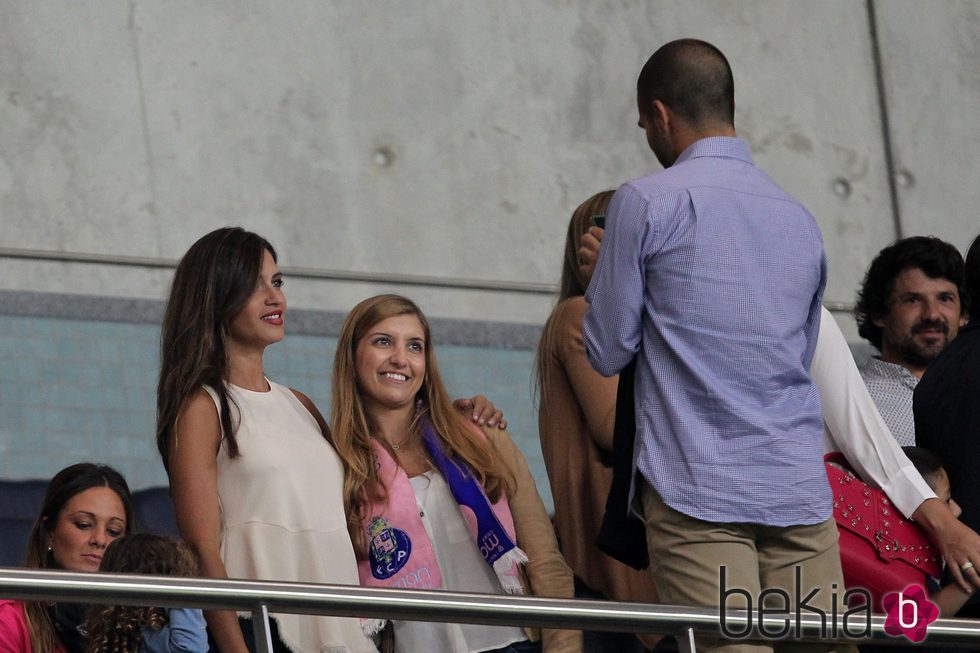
936, 258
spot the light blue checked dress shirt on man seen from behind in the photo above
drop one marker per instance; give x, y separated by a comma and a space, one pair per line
715, 275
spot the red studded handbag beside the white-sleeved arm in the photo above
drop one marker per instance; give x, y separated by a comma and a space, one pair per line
881, 551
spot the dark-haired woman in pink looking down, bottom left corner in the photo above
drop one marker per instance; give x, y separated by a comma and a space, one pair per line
86, 506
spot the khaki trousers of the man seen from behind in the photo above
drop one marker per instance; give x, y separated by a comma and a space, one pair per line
688, 557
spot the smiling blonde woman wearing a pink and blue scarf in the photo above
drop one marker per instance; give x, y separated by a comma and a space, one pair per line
434, 502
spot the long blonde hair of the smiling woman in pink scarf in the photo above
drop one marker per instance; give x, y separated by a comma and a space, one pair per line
353, 431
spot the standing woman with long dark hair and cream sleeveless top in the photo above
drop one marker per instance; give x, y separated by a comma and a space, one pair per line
252, 472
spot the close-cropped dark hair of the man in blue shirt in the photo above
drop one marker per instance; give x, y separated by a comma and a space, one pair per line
693, 78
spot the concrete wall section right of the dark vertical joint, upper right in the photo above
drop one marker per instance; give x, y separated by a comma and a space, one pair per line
932, 82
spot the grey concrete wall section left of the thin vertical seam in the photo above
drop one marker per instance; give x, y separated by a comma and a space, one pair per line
73, 161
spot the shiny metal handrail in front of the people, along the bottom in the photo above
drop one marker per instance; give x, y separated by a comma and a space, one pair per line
345, 600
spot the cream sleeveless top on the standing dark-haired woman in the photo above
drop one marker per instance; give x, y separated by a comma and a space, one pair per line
282, 512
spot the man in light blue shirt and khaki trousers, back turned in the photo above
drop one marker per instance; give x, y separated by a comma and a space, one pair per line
712, 277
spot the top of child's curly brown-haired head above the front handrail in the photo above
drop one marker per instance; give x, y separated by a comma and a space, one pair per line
144, 553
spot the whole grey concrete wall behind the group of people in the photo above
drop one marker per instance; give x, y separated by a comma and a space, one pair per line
449, 139
